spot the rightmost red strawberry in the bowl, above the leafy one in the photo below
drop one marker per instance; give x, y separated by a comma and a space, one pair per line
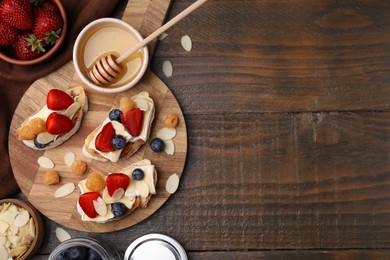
46, 22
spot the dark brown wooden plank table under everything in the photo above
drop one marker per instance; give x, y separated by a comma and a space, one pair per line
287, 110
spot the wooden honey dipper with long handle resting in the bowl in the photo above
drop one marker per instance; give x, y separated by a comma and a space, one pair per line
107, 68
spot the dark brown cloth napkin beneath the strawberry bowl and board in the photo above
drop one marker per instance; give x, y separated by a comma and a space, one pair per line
14, 80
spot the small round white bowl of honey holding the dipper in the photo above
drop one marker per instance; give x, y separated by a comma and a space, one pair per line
113, 42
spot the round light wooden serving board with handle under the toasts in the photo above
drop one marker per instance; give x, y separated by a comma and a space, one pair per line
29, 175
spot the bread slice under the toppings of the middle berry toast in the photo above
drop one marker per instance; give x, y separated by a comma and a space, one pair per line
130, 148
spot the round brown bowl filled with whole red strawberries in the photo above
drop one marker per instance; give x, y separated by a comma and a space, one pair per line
31, 31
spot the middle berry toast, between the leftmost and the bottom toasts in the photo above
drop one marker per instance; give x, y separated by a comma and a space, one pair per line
124, 130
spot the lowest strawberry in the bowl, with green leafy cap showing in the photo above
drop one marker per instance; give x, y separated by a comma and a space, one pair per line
28, 47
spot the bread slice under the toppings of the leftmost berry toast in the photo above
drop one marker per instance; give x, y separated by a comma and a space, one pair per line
78, 94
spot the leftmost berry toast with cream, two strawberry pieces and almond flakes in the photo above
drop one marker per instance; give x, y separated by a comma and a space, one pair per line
55, 122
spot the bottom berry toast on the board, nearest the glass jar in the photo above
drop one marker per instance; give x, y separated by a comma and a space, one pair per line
106, 198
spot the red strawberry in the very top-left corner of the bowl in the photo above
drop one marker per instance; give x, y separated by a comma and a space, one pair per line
17, 13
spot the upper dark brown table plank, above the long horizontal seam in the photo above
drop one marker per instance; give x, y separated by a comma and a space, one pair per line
280, 56
